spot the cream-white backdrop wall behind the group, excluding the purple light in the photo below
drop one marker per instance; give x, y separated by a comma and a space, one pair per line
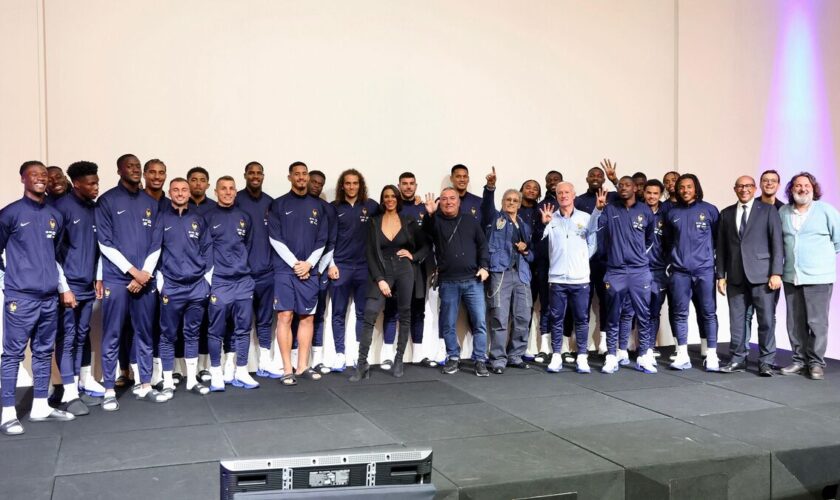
389, 86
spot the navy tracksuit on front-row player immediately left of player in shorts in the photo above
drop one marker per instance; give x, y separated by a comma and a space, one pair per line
231, 288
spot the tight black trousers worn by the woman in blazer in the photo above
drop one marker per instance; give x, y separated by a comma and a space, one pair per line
399, 274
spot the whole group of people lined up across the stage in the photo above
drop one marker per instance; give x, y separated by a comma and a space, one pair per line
184, 279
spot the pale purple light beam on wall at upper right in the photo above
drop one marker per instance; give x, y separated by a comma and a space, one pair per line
797, 134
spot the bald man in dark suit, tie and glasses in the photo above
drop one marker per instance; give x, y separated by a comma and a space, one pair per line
749, 261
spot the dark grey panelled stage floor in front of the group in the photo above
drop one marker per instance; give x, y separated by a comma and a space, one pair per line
518, 435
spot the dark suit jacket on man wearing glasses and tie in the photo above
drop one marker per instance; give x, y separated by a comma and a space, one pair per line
759, 254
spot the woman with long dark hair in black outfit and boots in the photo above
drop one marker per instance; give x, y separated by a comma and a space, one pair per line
395, 248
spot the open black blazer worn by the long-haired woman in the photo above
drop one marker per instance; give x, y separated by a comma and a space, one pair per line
417, 245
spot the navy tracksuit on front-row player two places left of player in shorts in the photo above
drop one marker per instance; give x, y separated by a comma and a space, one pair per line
186, 256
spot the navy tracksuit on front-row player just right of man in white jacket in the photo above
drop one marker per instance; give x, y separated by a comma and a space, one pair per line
627, 234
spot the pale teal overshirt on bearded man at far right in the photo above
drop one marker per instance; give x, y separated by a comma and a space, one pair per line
810, 251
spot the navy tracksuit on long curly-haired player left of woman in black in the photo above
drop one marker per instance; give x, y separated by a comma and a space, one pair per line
349, 257
